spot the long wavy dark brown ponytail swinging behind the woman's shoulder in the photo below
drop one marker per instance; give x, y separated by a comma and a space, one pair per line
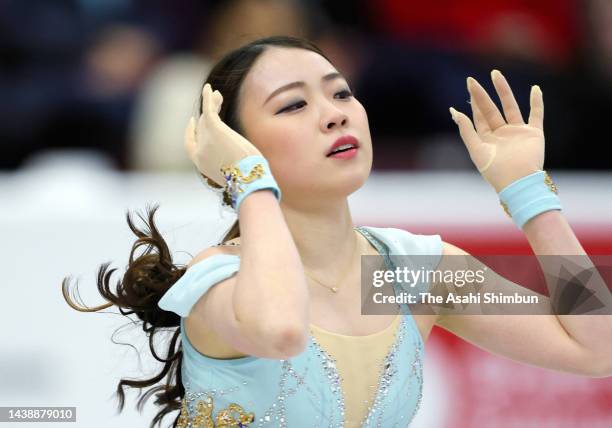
148, 276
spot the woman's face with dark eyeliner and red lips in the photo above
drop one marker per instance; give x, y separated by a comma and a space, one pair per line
293, 106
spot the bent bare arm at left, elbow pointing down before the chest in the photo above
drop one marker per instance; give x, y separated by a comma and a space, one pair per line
263, 310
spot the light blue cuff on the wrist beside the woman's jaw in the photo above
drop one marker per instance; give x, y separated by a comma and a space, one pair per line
242, 189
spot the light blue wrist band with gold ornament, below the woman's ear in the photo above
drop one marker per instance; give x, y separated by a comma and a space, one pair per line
246, 176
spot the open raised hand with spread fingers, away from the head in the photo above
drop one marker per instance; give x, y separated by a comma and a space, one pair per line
503, 150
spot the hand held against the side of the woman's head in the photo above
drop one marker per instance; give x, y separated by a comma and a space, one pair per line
210, 143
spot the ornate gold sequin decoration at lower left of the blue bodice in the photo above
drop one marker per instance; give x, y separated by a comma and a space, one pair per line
232, 416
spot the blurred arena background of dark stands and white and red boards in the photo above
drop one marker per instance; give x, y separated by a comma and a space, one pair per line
94, 97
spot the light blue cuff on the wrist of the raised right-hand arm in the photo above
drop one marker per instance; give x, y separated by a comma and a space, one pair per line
529, 196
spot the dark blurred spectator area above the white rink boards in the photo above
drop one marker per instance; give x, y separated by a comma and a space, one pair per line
121, 77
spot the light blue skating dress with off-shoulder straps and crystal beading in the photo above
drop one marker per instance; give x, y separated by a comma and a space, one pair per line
303, 391
